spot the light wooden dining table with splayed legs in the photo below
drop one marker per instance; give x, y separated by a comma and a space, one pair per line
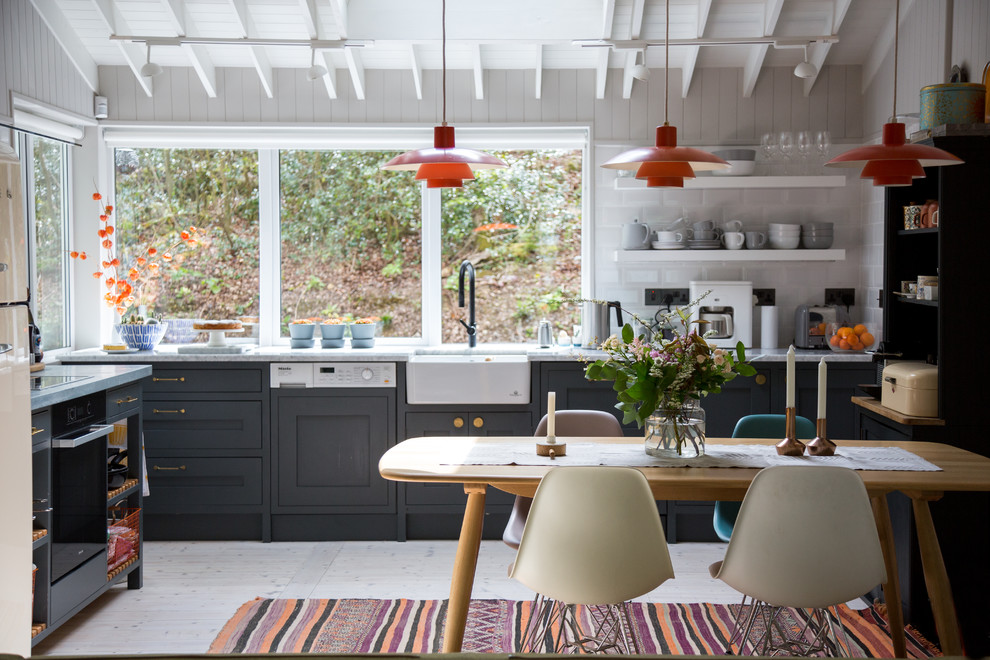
438, 460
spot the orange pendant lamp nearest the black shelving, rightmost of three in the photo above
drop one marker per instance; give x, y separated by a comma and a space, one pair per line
893, 162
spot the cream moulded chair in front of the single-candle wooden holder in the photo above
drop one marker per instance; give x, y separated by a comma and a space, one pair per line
593, 537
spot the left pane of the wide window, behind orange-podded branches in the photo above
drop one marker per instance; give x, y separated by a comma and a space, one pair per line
160, 193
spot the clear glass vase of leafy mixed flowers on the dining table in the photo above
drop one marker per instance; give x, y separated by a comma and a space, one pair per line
660, 379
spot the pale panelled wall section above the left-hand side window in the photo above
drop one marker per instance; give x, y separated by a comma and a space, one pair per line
33, 63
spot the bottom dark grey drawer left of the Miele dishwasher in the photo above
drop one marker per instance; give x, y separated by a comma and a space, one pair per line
187, 485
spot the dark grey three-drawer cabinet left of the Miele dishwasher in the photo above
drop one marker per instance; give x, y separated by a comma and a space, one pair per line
207, 440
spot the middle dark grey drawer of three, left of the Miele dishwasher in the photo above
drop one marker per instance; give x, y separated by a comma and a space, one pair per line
202, 424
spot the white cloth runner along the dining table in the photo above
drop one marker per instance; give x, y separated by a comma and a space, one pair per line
745, 456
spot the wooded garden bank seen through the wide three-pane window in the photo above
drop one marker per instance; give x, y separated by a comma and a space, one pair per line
351, 238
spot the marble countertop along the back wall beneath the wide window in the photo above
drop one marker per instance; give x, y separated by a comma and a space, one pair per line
385, 352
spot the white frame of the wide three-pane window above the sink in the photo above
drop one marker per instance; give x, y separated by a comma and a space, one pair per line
269, 140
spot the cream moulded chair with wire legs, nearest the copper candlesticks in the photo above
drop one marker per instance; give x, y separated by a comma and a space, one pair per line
805, 538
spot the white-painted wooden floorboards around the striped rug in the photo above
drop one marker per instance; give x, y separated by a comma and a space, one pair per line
192, 588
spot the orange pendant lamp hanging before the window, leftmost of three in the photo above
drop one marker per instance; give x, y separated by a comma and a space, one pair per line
444, 165
